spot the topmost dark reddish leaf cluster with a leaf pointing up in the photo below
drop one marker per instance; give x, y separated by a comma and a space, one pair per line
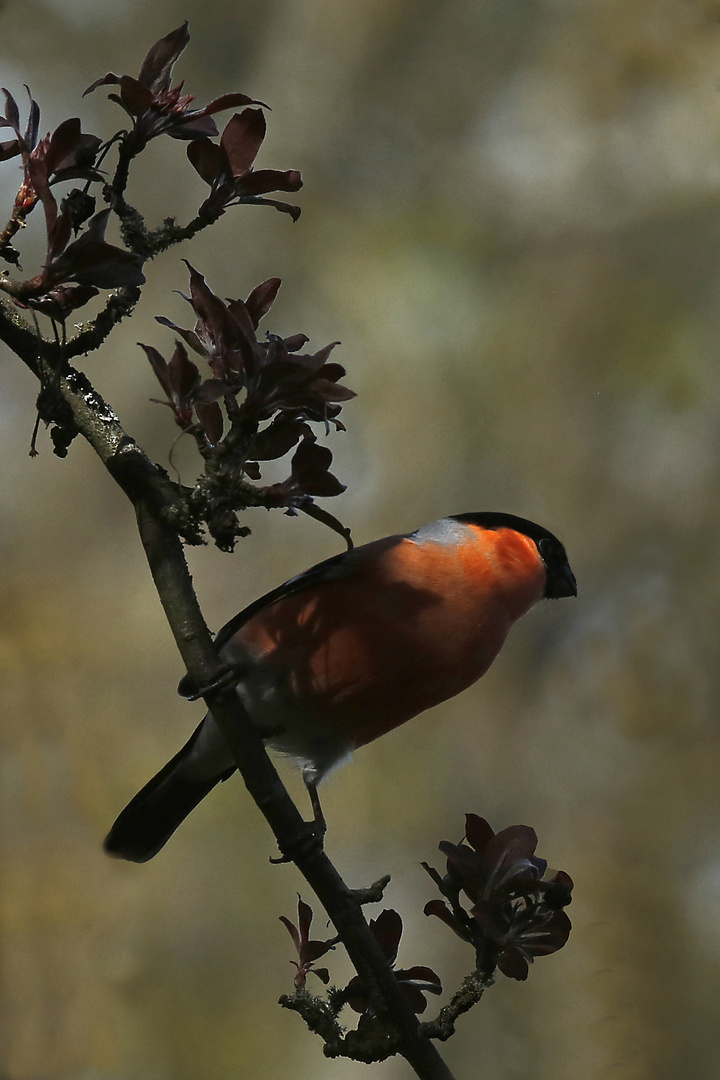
158, 109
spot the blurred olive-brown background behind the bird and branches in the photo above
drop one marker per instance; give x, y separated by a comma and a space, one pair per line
512, 222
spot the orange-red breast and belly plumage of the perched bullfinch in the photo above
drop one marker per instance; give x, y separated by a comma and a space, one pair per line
414, 625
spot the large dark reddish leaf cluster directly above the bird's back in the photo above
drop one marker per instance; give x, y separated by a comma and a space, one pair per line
276, 382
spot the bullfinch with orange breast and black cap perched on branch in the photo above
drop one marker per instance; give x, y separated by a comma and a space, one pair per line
355, 647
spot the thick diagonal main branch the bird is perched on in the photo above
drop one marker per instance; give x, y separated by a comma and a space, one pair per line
158, 506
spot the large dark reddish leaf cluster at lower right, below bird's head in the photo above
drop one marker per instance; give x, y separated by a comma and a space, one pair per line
517, 910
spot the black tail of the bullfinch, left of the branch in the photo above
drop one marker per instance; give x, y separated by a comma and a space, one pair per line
151, 819
